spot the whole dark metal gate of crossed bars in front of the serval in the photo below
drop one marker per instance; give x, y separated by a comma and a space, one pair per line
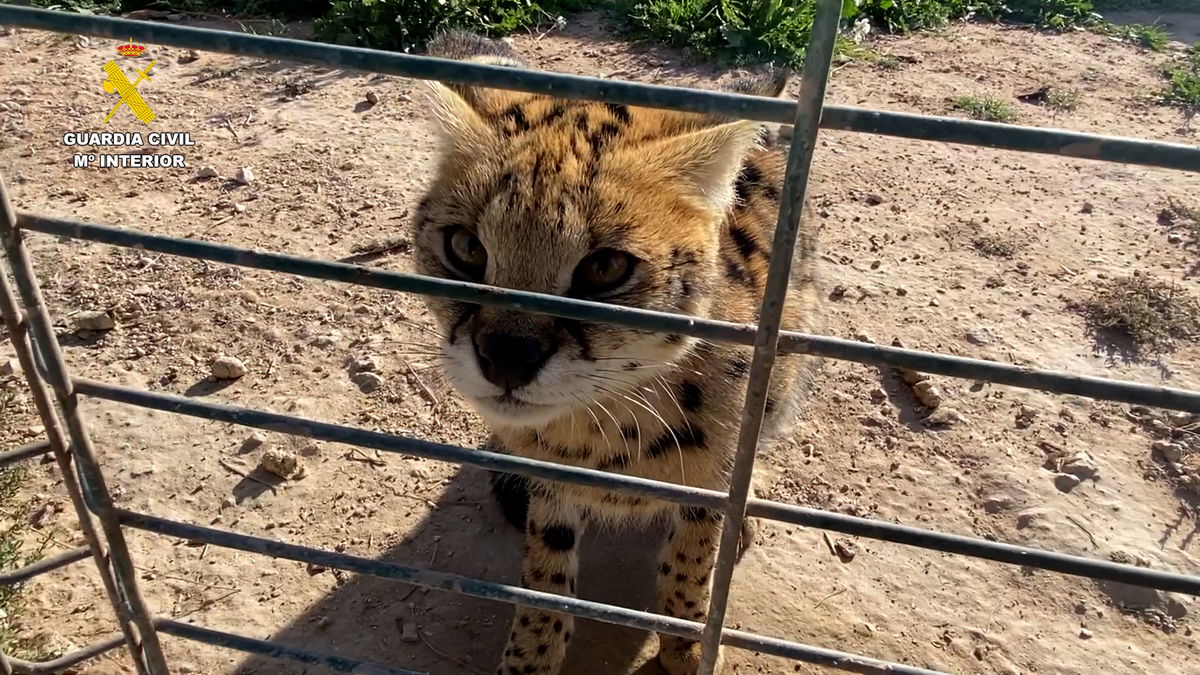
57, 395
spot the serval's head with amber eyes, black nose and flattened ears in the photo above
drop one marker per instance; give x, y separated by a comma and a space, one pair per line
575, 199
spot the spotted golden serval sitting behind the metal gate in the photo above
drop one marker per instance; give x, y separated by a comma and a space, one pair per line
536, 193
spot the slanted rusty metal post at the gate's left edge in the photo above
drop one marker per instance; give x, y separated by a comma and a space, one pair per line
122, 583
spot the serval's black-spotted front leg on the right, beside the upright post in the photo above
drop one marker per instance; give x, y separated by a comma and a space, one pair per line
686, 570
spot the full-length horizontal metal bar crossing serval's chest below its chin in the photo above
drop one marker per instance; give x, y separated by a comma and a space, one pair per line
760, 509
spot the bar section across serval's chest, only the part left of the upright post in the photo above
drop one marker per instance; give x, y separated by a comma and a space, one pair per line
388, 443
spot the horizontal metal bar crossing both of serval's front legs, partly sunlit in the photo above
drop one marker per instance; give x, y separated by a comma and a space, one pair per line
503, 593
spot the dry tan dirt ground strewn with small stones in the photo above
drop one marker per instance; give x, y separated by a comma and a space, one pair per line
899, 223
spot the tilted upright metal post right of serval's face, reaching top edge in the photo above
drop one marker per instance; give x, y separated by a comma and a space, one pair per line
808, 118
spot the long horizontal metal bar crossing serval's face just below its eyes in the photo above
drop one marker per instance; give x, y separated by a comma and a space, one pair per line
663, 322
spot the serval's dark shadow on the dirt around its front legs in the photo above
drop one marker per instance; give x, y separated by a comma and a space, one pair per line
365, 618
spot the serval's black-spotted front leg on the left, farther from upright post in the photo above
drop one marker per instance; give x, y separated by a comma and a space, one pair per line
538, 640
